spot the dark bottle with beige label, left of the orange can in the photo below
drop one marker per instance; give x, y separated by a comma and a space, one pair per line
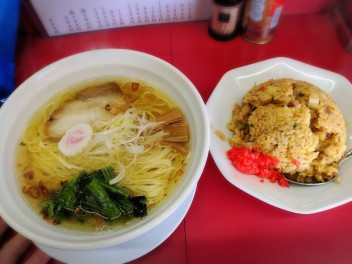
225, 17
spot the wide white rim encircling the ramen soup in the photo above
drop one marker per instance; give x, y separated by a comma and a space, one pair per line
47, 234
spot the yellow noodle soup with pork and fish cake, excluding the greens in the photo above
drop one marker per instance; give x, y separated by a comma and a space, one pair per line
134, 128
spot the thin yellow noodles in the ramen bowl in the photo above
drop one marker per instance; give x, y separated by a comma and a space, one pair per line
153, 172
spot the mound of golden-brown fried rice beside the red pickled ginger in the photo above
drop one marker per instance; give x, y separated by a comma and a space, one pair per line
295, 122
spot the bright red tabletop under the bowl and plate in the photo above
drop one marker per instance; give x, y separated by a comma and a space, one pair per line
225, 224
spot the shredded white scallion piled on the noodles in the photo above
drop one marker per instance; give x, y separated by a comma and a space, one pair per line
129, 132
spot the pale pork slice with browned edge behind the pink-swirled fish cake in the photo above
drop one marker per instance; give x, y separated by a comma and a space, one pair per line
91, 105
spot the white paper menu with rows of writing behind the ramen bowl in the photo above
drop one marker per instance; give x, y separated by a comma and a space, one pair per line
76, 16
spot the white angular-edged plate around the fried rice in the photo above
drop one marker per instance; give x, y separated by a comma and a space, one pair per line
232, 87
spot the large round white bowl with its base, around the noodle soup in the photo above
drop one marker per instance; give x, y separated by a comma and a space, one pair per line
71, 246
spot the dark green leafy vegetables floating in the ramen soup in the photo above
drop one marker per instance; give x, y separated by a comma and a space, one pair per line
92, 194
